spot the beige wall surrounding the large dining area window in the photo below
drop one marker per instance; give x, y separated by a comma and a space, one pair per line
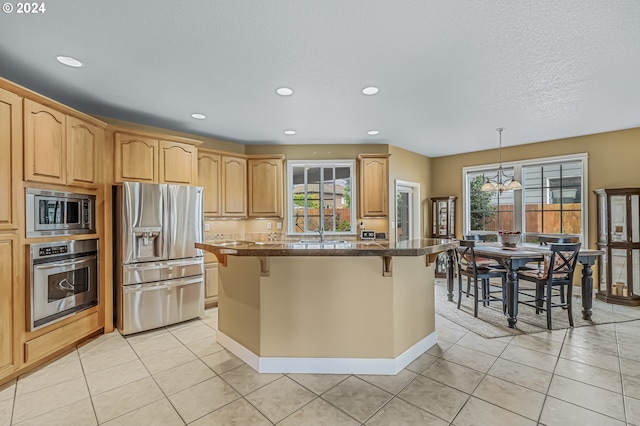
613, 163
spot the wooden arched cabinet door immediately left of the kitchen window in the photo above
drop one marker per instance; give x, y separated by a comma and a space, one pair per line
265, 187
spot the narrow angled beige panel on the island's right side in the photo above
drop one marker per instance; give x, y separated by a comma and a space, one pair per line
413, 301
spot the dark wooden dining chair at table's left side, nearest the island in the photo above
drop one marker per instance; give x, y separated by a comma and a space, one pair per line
481, 274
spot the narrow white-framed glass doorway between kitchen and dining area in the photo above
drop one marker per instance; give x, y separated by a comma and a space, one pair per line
407, 224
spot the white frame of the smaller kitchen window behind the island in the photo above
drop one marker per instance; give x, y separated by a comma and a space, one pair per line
351, 164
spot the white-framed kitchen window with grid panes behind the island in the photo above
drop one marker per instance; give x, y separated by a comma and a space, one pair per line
319, 197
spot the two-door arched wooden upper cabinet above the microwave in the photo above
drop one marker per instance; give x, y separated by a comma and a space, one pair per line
58, 148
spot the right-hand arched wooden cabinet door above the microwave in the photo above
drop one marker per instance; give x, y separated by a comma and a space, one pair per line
83, 143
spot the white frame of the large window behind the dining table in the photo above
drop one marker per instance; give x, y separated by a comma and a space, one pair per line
519, 206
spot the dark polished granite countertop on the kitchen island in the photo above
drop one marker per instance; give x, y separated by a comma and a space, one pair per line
331, 247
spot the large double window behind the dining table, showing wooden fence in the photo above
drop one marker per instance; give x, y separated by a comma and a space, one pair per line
551, 200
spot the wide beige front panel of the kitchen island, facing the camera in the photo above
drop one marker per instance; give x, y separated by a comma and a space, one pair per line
327, 307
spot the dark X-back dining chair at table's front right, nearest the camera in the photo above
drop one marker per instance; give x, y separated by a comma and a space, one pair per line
555, 279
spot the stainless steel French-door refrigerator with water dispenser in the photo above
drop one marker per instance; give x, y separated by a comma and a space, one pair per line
159, 274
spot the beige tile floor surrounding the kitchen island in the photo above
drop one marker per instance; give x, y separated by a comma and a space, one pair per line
179, 375
